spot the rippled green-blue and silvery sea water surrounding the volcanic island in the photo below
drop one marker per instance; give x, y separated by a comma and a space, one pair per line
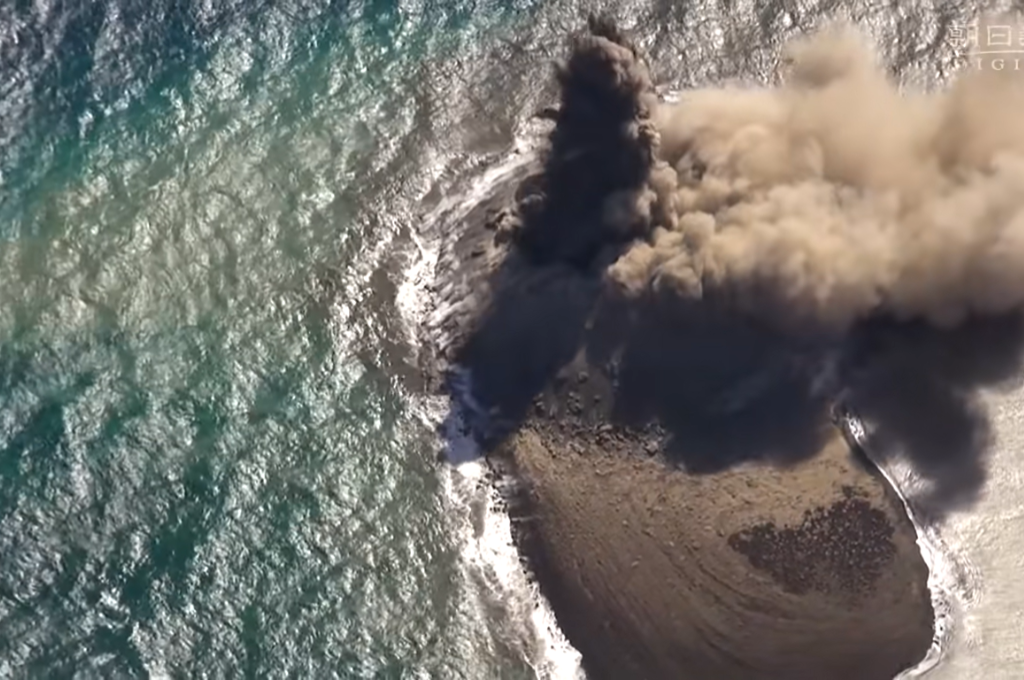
217, 246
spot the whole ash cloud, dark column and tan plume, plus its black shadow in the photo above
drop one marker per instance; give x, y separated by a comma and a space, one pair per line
727, 268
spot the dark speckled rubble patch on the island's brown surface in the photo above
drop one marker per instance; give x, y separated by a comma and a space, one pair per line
843, 548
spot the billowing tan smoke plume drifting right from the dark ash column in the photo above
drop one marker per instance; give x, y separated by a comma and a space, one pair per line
836, 196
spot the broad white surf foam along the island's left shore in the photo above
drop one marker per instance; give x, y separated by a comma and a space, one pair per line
490, 560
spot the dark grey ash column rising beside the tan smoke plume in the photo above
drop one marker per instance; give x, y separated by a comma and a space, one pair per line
603, 147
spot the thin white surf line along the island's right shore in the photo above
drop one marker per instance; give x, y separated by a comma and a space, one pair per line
856, 434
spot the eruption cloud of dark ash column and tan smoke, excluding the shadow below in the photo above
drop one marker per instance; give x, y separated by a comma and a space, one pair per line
815, 205
